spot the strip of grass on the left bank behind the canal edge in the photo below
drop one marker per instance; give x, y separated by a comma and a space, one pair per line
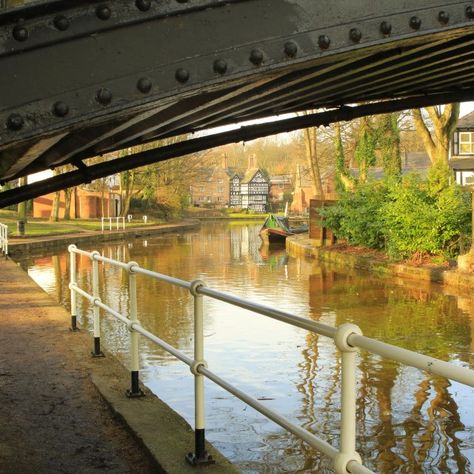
42, 227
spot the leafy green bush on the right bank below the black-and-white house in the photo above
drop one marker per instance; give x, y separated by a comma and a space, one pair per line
412, 216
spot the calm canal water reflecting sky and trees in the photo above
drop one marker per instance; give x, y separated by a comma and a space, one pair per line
408, 421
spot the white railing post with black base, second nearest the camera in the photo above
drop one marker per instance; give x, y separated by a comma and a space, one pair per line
200, 456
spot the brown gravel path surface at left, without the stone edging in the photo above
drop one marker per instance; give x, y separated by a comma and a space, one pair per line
52, 418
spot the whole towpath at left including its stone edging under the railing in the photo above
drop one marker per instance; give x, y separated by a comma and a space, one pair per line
64, 411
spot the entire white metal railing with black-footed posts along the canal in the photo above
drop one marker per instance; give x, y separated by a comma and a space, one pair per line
347, 337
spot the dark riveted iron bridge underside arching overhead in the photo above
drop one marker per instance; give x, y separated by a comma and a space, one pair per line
84, 78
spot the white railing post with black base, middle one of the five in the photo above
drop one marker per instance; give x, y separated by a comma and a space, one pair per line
134, 391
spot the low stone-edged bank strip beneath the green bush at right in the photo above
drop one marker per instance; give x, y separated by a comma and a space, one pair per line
449, 276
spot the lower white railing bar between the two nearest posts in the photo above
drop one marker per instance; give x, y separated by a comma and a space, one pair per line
305, 435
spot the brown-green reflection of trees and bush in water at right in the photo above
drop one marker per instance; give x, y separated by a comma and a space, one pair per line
392, 442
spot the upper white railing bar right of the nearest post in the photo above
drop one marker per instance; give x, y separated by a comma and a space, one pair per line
414, 359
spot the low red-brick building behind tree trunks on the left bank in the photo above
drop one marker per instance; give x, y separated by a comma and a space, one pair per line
85, 204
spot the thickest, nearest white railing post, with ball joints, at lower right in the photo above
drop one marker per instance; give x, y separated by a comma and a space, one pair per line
347, 450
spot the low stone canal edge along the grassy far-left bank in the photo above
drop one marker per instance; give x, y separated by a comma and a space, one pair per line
20, 246
